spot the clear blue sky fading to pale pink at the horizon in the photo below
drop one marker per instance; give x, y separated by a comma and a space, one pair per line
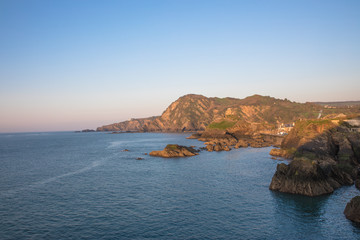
76, 64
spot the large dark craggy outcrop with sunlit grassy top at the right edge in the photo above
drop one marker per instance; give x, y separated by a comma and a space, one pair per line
325, 154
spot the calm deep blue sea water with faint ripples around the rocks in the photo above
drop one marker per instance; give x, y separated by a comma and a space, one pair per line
82, 186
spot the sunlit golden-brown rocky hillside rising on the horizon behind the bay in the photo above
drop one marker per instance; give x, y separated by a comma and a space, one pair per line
196, 112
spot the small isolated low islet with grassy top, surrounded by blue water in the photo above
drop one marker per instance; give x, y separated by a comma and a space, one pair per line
174, 150
